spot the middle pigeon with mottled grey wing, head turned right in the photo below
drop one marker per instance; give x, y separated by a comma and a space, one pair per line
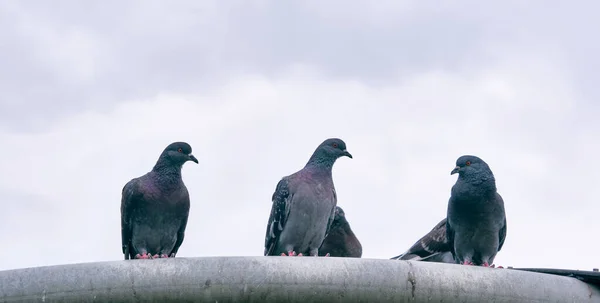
304, 204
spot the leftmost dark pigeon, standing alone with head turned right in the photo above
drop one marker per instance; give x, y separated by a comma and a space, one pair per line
155, 207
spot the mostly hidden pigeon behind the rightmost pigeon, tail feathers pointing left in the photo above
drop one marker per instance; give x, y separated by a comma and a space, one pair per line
433, 247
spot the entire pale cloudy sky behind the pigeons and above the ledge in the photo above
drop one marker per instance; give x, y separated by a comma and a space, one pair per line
92, 91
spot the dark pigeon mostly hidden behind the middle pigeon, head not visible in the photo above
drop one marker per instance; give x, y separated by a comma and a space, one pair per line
340, 241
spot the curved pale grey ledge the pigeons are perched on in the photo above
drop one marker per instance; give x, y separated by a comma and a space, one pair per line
285, 279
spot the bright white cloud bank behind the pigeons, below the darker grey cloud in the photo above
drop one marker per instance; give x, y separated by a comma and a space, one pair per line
247, 134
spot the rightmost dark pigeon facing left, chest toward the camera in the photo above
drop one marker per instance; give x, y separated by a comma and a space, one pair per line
476, 226
